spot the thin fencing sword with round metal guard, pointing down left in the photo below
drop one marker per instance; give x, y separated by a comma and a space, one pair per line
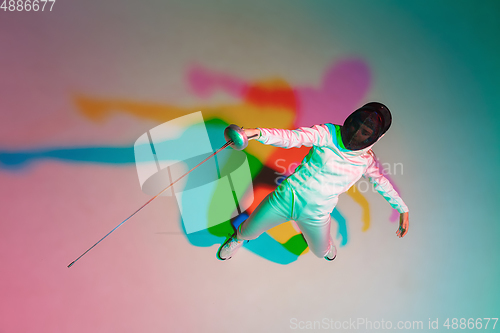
235, 137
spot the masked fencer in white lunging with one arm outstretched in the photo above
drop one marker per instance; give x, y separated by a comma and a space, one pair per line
338, 158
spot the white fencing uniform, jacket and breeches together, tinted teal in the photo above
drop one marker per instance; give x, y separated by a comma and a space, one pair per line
310, 194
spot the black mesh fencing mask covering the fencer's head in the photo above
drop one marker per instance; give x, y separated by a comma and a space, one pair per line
365, 126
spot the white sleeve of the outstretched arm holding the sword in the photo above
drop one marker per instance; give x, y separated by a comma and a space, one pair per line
317, 135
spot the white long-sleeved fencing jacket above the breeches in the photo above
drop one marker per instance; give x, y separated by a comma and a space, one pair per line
328, 170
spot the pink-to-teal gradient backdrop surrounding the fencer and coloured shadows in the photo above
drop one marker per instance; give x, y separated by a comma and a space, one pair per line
434, 63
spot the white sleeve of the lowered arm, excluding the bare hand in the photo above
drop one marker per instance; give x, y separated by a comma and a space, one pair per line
384, 187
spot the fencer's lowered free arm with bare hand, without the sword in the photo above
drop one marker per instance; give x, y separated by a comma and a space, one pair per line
385, 188
